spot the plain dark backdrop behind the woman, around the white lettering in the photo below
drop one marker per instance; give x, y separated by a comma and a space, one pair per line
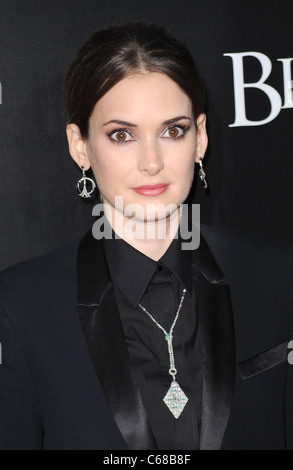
249, 168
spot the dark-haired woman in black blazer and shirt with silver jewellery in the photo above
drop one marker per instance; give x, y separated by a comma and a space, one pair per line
128, 340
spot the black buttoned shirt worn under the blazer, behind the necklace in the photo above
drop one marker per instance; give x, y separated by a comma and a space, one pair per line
158, 287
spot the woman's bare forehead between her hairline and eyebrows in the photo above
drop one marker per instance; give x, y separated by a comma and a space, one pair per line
143, 96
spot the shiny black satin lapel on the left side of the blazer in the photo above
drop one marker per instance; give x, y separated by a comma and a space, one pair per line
103, 330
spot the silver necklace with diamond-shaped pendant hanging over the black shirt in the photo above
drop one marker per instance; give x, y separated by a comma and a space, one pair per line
175, 398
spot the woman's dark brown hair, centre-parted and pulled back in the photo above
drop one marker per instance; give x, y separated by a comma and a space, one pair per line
114, 53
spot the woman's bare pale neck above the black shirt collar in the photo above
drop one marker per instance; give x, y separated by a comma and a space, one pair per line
152, 238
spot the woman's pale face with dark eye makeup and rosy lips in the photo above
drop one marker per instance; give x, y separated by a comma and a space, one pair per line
143, 142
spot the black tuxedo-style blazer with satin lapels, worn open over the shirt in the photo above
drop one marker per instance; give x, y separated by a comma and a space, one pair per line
65, 377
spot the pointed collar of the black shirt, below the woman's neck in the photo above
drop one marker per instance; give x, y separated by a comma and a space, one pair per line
131, 271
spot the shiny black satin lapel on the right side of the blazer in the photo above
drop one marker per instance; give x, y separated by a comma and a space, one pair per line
216, 322
